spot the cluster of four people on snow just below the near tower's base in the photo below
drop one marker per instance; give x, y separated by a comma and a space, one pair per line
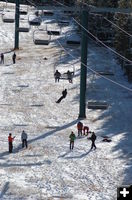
80, 127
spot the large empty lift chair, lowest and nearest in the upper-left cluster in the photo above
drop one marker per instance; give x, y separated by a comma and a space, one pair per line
40, 37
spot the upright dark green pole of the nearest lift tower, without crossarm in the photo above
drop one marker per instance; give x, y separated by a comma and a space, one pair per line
83, 75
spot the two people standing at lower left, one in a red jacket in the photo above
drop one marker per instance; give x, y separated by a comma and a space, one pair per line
23, 139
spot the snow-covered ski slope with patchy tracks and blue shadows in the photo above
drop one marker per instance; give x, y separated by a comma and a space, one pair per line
48, 170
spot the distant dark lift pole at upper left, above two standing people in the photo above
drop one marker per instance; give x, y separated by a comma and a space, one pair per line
17, 25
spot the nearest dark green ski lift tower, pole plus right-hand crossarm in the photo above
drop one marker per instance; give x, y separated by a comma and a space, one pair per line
84, 43
